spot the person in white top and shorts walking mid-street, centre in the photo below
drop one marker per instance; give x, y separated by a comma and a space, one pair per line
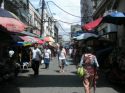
62, 58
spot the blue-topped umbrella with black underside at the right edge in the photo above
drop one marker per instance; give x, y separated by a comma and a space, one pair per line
114, 17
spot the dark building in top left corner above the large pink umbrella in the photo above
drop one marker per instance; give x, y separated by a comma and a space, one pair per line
19, 8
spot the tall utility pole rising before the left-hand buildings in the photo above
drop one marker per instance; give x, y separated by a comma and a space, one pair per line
42, 16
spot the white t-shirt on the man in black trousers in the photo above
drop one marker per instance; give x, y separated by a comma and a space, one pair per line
36, 54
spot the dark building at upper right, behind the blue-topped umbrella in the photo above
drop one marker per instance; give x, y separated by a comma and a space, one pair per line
102, 8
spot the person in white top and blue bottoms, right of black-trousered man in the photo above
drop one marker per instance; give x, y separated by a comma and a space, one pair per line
47, 57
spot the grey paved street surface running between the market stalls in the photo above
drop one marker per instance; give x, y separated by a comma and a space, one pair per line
51, 81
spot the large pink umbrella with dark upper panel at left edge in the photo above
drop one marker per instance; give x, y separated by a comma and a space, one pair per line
8, 21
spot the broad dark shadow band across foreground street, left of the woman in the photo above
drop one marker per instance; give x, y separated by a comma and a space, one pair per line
49, 81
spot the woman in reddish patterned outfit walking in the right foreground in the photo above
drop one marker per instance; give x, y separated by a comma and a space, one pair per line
90, 64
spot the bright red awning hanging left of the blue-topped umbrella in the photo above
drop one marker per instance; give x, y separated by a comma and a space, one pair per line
90, 26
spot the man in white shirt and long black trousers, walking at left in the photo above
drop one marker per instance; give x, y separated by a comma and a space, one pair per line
36, 58
